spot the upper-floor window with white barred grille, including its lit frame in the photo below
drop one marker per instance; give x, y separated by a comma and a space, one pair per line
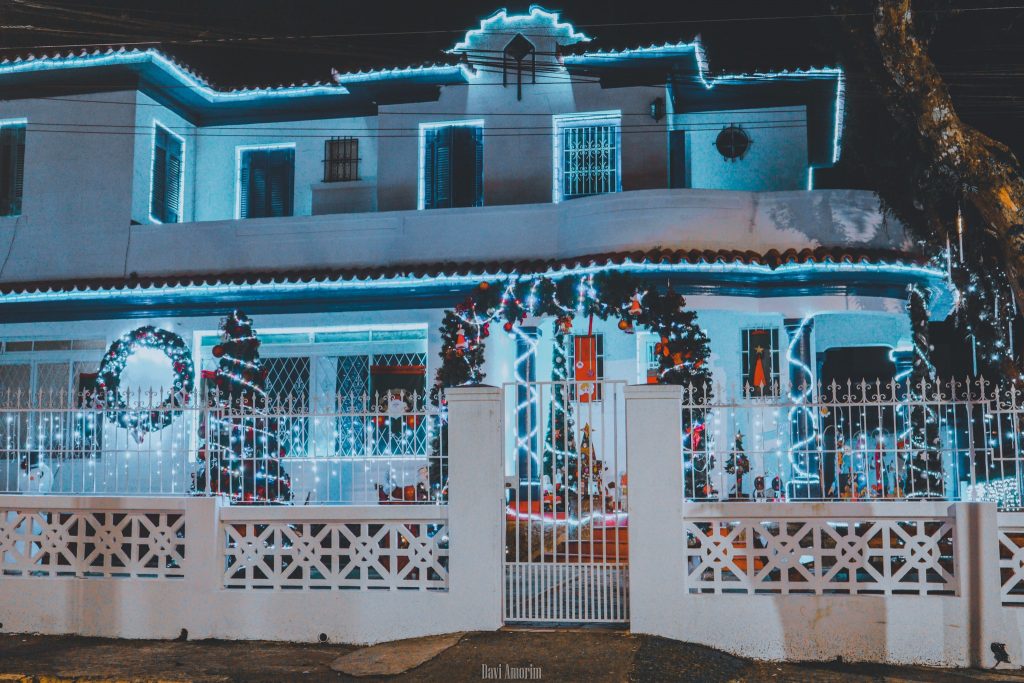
587, 155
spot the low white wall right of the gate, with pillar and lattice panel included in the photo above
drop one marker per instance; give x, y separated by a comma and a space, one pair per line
906, 583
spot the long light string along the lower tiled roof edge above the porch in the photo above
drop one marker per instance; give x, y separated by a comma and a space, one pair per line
936, 275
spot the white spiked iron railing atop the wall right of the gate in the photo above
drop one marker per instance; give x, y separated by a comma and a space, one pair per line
955, 441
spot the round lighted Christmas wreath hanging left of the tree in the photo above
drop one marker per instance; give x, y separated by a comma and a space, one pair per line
141, 420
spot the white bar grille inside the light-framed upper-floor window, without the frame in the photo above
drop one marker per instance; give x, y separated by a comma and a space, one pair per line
589, 160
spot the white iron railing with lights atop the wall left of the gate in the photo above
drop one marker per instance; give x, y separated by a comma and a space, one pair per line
345, 451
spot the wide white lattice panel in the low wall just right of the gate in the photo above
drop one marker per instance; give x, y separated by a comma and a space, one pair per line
822, 557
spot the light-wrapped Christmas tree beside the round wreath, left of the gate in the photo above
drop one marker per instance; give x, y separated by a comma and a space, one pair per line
240, 448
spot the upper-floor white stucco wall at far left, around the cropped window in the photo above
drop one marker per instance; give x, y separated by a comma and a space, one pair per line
78, 186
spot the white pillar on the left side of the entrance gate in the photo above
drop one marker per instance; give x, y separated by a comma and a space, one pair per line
477, 509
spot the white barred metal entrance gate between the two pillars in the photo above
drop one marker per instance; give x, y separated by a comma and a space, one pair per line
567, 534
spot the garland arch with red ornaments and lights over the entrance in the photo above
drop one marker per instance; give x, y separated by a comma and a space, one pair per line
684, 350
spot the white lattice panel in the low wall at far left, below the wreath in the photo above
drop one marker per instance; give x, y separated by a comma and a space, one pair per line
68, 543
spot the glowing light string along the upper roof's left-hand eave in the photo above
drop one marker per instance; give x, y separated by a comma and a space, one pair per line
151, 56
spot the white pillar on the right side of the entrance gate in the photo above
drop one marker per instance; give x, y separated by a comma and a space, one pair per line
654, 455
